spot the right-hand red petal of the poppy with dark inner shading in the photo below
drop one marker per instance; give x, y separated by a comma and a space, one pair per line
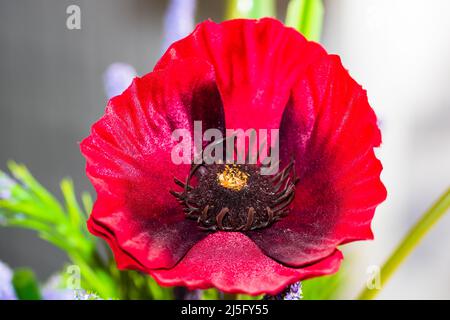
330, 130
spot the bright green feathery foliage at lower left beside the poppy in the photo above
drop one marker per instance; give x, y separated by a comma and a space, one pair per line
29, 205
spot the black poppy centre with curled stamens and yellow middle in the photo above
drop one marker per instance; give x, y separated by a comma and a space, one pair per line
231, 197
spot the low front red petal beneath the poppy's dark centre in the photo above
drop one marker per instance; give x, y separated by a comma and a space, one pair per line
231, 262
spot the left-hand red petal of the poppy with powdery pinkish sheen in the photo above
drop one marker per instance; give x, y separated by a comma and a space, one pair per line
129, 162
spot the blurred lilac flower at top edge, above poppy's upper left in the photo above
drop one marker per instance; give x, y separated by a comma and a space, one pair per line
179, 21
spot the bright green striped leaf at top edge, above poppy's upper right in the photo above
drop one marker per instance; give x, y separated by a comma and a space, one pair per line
307, 17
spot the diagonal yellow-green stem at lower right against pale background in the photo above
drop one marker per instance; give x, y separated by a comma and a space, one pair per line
412, 239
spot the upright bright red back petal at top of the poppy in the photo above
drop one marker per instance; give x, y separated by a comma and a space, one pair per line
256, 64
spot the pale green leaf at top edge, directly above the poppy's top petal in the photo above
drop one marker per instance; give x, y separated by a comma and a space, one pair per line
250, 9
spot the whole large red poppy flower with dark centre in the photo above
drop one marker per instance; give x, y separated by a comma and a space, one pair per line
237, 74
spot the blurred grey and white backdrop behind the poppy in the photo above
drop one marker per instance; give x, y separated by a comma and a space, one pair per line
51, 91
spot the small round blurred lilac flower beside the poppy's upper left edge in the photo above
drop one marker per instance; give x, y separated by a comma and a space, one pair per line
117, 78
